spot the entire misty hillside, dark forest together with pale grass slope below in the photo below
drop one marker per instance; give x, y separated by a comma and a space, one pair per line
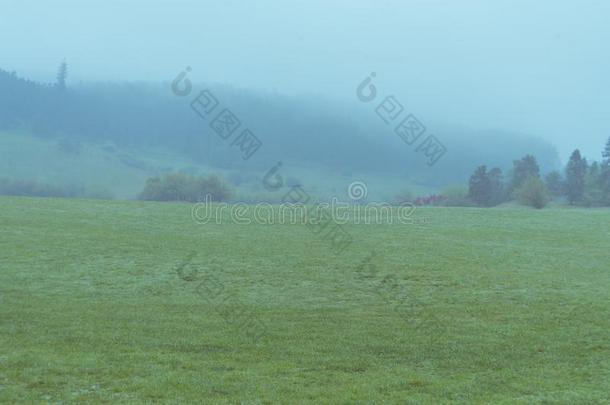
153, 129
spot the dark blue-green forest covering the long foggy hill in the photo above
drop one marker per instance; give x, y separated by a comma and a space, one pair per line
291, 129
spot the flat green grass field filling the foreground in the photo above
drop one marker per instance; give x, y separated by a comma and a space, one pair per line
133, 302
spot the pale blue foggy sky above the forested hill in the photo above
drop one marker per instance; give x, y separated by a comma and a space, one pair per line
540, 68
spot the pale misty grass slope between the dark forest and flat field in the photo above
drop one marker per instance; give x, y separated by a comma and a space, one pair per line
105, 169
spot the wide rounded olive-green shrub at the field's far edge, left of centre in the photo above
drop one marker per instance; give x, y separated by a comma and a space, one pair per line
184, 187
